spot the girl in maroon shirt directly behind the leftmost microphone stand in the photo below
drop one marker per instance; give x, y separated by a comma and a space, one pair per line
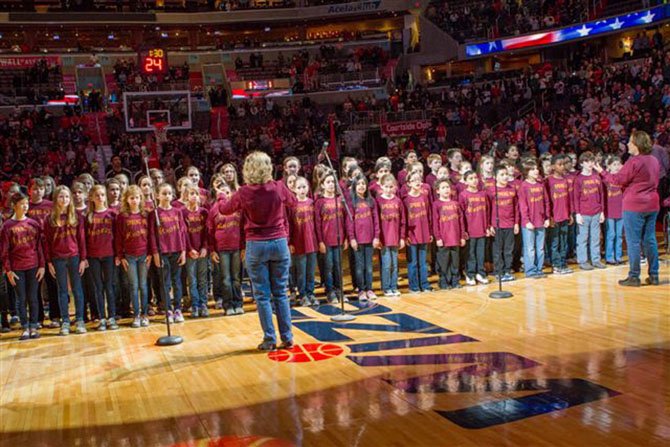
168, 248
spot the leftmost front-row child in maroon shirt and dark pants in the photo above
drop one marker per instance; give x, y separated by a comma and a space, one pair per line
23, 262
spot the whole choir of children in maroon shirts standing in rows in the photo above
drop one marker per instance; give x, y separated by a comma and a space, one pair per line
109, 231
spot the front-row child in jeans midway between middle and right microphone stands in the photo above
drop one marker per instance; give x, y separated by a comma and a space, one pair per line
417, 209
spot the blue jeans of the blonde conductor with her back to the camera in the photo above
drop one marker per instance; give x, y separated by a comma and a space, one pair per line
268, 263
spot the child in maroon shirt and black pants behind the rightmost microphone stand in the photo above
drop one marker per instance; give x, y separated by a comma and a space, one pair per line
504, 220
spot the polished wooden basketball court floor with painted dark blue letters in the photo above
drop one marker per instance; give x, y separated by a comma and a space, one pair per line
573, 360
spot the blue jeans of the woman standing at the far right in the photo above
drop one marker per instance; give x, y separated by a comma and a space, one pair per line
640, 229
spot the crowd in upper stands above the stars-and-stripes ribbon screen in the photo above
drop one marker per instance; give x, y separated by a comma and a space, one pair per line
485, 19
